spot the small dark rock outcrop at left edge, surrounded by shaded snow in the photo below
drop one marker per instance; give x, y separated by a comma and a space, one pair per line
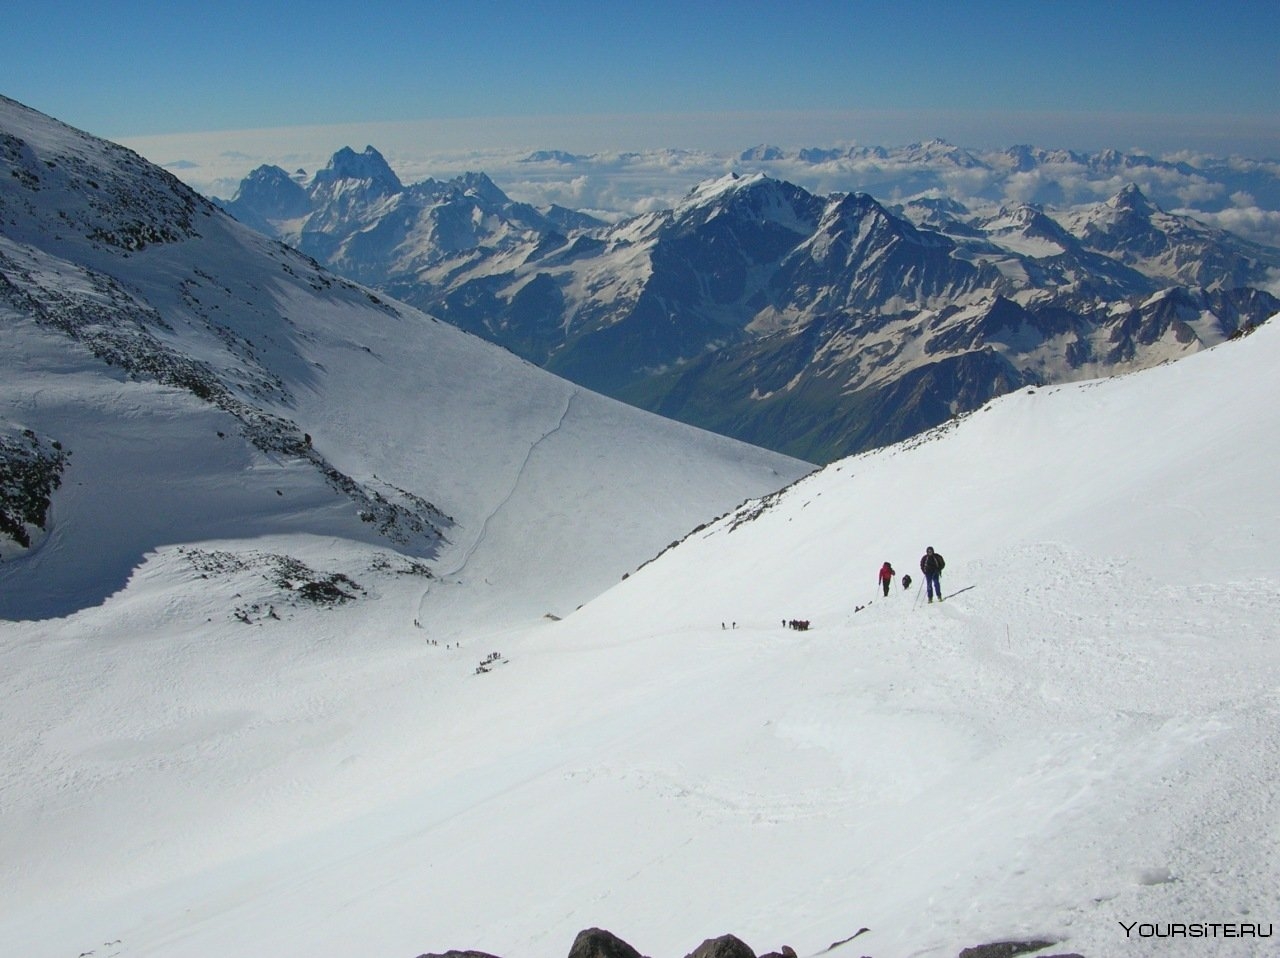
31, 469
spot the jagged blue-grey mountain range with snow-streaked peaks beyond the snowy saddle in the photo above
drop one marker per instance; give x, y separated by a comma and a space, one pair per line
812, 325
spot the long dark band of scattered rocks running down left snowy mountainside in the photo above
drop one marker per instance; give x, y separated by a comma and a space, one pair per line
121, 204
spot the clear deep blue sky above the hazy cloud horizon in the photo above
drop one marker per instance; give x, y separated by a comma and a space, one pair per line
130, 69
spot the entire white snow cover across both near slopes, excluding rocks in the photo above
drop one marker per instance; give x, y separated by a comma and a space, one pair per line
198, 763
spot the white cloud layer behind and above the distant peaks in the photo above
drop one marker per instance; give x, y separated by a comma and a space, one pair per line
1233, 193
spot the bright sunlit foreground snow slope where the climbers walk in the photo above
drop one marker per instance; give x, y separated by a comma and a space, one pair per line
1082, 740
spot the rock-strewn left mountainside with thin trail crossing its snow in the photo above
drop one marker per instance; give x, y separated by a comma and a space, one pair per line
203, 382
